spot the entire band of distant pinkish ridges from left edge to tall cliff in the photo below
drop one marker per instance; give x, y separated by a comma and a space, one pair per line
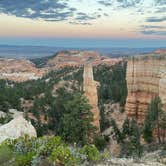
21, 70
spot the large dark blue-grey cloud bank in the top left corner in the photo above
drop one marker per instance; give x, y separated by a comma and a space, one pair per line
48, 10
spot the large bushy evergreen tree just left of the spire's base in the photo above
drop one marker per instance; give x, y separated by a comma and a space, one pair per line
76, 122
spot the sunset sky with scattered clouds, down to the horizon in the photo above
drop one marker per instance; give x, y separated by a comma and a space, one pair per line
100, 23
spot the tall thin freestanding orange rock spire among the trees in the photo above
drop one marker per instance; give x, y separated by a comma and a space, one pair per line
90, 91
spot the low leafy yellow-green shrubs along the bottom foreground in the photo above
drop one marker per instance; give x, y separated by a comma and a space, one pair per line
27, 151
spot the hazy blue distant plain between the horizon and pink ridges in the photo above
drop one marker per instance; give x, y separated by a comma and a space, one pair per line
29, 52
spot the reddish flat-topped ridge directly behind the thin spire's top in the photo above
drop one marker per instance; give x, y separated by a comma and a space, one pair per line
79, 58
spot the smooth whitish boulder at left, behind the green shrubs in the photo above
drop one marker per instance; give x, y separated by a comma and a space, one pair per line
16, 128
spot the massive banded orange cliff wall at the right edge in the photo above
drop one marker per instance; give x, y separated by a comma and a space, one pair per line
146, 78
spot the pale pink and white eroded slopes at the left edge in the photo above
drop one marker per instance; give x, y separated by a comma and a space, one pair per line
19, 70
